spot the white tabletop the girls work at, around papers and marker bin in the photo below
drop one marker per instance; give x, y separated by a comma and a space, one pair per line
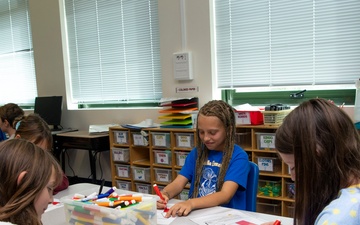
56, 216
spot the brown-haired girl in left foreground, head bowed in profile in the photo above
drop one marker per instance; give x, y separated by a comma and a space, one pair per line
27, 182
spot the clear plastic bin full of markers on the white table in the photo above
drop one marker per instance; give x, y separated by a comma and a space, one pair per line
144, 212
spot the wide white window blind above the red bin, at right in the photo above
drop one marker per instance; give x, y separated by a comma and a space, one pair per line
287, 43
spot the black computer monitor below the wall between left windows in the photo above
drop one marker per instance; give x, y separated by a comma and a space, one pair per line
49, 108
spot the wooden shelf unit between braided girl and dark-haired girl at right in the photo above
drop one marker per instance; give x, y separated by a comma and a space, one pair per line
247, 138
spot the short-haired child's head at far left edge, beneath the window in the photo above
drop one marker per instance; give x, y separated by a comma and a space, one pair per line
8, 113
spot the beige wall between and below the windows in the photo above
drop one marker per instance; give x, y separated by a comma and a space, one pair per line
50, 72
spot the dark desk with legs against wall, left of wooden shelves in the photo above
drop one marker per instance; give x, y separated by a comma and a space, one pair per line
93, 143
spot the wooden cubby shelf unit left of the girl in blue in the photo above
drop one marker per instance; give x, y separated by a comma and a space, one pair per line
160, 142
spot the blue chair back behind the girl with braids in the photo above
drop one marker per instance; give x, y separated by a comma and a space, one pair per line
252, 187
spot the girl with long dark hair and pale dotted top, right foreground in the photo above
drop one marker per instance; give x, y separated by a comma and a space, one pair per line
319, 143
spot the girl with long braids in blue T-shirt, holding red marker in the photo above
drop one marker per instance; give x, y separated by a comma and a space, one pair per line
217, 168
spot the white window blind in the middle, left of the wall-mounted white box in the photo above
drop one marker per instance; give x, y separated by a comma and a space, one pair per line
114, 52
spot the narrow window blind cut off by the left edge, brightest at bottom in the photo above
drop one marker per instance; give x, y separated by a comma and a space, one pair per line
17, 72
